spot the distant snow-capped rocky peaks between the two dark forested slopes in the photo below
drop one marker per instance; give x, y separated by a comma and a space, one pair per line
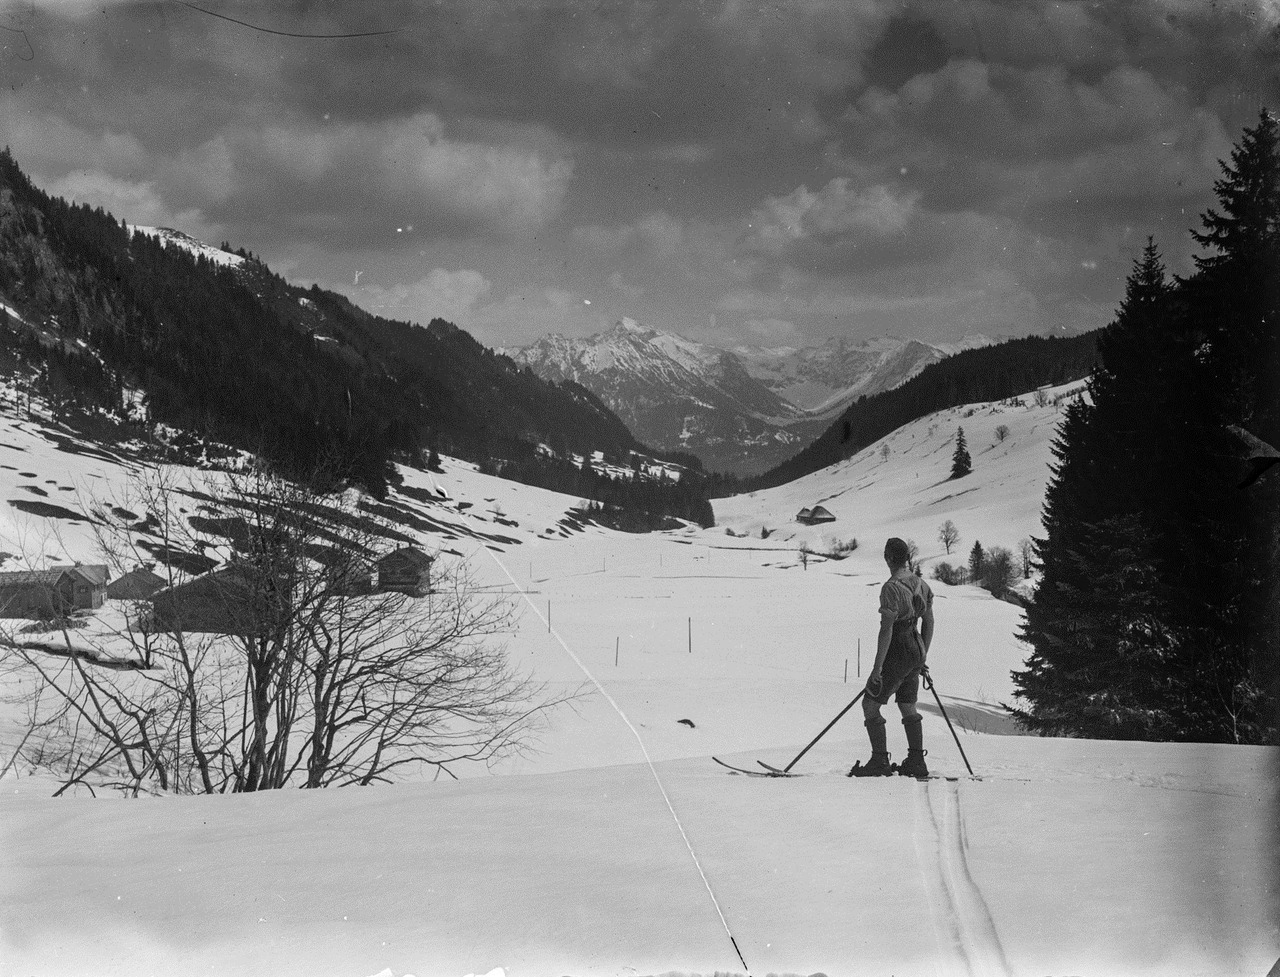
742, 409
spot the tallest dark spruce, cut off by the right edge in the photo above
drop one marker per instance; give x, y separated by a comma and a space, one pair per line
1235, 302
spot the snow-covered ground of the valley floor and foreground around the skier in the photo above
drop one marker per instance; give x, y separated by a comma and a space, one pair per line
621, 848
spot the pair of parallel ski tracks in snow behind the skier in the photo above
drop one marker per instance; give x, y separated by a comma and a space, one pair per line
962, 921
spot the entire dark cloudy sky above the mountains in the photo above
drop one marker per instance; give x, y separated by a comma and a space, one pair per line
770, 174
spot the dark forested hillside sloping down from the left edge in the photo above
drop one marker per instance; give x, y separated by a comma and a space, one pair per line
232, 353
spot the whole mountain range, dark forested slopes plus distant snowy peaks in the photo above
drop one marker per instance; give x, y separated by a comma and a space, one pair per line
147, 327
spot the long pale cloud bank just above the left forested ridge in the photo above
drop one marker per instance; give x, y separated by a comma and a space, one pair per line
349, 184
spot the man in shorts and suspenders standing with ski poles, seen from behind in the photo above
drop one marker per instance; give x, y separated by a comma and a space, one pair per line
900, 655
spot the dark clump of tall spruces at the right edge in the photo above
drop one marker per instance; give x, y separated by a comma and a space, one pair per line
1155, 617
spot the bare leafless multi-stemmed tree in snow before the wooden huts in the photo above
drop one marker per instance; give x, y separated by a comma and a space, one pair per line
289, 665
